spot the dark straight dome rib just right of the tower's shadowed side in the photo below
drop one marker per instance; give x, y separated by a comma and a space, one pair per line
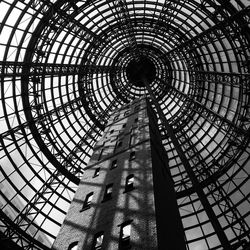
197, 187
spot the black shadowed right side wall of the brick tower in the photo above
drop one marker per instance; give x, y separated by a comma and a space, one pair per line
169, 227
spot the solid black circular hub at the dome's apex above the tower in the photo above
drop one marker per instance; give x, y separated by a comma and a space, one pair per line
139, 72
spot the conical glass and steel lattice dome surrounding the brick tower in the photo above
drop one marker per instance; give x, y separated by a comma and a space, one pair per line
65, 66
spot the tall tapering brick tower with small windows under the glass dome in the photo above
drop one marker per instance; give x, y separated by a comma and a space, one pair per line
126, 198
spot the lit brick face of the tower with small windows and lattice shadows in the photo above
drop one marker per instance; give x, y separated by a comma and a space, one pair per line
136, 206
